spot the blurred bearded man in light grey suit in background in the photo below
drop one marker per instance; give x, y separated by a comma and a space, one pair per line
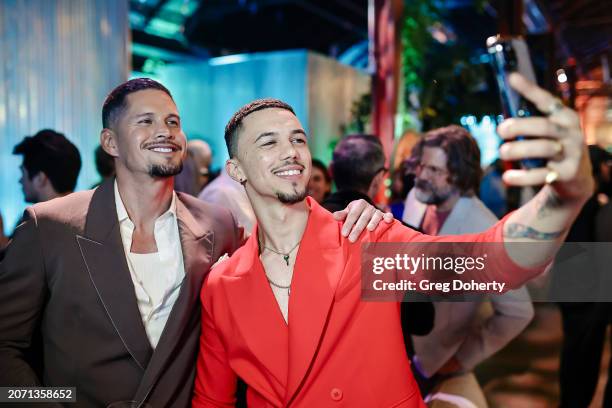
444, 202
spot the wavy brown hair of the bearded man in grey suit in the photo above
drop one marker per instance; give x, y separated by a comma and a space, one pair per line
462, 152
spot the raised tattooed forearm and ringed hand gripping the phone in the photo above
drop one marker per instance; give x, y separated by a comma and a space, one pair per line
567, 179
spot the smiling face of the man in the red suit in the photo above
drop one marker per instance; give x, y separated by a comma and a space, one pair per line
272, 156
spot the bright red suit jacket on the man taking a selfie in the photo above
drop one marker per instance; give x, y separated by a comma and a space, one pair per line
336, 351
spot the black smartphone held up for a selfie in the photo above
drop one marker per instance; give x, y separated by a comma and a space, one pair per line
510, 54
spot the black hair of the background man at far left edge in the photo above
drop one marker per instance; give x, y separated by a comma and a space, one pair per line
51, 153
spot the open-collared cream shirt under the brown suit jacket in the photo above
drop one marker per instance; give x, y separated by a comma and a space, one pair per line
158, 276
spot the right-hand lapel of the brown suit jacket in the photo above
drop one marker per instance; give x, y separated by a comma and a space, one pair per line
197, 246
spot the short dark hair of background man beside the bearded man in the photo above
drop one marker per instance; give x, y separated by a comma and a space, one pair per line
357, 159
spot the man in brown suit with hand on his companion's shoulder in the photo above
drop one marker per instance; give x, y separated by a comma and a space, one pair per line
105, 283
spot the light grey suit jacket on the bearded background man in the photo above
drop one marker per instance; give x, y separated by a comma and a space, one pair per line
459, 330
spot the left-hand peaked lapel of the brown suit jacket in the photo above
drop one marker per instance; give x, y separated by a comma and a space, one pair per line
104, 256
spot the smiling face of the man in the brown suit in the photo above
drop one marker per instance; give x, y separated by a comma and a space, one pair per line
147, 138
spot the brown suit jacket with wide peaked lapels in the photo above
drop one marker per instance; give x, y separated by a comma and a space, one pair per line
65, 281
